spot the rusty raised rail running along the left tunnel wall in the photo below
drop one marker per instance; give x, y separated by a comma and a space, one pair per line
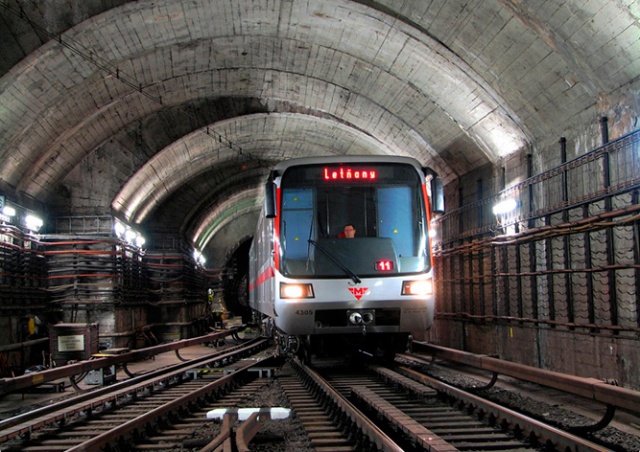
8, 385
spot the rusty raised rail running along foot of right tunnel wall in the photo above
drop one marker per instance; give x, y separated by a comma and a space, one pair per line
590, 388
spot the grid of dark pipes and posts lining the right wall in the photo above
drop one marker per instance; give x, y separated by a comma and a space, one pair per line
567, 255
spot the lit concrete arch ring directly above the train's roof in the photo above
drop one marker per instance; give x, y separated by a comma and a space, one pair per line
258, 139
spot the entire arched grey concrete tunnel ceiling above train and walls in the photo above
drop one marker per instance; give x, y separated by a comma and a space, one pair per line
184, 105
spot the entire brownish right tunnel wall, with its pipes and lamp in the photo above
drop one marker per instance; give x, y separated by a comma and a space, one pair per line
554, 283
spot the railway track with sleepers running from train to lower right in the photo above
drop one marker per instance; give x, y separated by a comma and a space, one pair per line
420, 413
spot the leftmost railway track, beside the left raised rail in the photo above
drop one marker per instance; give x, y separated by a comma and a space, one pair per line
118, 416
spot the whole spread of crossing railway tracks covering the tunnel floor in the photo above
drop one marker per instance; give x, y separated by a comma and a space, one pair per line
334, 407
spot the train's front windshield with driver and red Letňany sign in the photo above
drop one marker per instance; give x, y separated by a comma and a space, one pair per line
382, 202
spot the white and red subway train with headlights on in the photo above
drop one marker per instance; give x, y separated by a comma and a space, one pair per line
341, 258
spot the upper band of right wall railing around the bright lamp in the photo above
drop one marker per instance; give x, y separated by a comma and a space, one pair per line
602, 174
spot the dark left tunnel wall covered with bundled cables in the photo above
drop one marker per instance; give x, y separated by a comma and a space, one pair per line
86, 275
